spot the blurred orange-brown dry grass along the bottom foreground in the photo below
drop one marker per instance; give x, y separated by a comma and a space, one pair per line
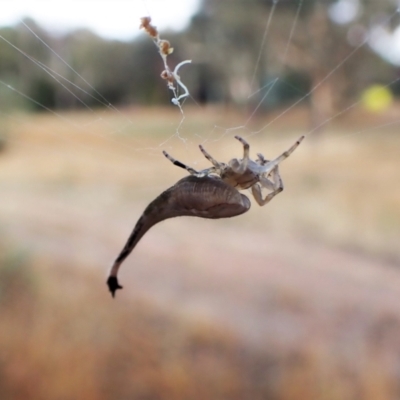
61, 338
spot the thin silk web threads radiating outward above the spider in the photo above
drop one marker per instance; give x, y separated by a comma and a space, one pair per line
214, 133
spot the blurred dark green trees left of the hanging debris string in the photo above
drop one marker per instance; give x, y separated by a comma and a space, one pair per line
113, 72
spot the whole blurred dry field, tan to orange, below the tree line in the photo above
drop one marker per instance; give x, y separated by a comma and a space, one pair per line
297, 300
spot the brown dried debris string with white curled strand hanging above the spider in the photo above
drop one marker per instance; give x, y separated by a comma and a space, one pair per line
165, 49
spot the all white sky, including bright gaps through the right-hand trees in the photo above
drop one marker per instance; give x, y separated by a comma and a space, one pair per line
119, 19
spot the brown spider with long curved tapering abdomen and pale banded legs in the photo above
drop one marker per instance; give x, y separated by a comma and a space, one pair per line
210, 193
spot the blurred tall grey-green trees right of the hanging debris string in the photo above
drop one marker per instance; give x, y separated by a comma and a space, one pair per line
328, 56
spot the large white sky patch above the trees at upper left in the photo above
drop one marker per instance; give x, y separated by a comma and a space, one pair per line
115, 19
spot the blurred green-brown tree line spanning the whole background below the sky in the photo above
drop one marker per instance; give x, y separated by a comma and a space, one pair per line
301, 53
